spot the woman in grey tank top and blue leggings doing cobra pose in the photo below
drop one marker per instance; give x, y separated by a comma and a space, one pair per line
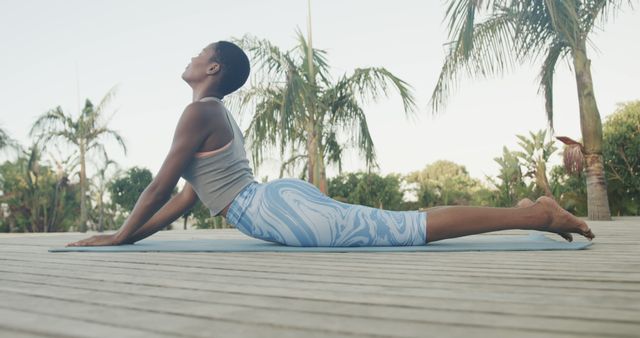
208, 151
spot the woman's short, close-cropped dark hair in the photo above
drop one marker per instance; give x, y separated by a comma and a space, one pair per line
235, 66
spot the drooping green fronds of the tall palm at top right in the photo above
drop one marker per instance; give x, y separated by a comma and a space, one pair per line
491, 37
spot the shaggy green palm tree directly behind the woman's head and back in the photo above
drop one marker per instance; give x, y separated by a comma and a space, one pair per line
302, 113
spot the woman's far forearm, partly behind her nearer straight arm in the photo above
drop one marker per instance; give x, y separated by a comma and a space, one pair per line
176, 207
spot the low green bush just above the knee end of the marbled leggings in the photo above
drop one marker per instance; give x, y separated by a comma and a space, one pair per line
370, 189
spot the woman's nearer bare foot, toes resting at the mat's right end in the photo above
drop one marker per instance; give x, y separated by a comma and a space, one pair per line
563, 222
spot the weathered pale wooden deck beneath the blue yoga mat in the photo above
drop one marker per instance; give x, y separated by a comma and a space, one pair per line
585, 293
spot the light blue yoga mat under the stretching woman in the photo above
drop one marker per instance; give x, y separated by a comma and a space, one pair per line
533, 241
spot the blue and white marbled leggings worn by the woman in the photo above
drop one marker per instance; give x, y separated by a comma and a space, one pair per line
294, 212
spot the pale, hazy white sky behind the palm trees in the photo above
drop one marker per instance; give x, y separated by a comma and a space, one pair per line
57, 53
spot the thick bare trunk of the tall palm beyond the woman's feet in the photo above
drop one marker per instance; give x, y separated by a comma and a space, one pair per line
591, 127
